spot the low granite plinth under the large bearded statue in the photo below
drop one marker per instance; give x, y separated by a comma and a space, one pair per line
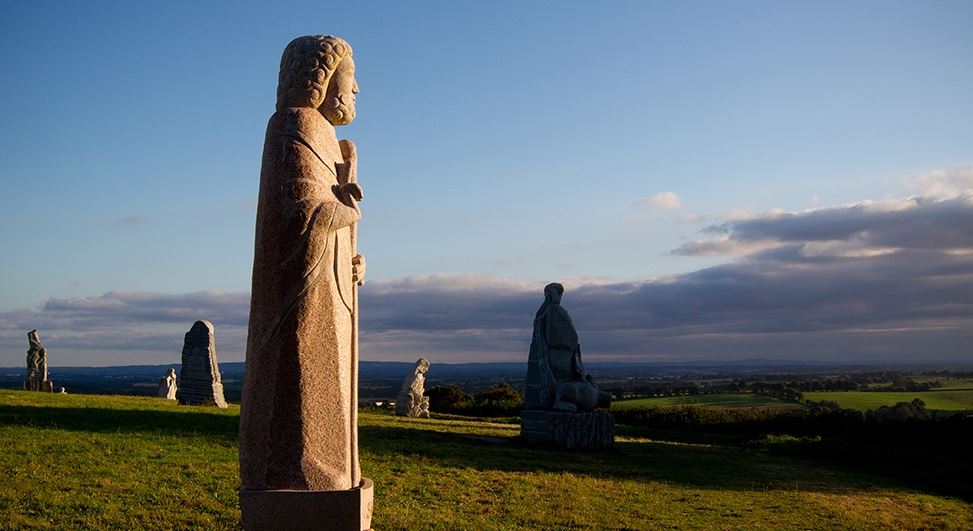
340, 510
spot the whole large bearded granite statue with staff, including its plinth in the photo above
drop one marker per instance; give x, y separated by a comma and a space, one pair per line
298, 413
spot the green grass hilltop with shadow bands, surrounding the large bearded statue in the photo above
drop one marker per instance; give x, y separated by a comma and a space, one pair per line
73, 461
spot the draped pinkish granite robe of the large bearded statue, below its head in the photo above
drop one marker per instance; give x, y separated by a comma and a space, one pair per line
296, 428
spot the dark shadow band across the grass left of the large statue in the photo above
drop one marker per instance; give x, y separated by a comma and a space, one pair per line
220, 427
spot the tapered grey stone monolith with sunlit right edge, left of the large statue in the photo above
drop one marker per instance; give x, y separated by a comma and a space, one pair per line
200, 381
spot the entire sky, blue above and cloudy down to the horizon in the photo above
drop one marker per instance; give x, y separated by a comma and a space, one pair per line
620, 148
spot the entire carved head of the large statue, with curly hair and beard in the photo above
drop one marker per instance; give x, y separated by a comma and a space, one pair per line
317, 71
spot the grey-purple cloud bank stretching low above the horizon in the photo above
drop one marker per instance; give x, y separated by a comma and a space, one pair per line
871, 281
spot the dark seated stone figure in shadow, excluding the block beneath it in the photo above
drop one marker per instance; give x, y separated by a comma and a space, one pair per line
556, 378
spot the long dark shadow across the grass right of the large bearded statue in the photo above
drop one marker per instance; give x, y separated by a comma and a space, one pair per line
706, 466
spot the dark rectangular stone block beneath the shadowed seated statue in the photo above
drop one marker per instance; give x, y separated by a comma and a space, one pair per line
572, 431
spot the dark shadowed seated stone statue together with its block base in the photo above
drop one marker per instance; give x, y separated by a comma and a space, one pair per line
560, 395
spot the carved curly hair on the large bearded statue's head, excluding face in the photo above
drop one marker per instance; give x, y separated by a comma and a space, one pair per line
306, 68
